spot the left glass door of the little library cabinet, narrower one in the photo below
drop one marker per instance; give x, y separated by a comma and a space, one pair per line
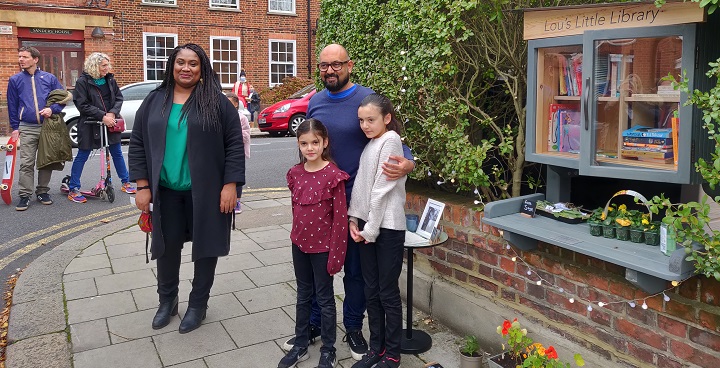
554, 116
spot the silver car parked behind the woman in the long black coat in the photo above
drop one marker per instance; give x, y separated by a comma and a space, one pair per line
133, 95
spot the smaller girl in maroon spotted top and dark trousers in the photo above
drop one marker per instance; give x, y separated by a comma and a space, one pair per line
319, 239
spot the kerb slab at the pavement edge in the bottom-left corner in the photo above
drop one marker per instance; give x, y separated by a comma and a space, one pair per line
47, 351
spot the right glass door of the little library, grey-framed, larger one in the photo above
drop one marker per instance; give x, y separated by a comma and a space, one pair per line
634, 114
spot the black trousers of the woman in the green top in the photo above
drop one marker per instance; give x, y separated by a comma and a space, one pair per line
176, 221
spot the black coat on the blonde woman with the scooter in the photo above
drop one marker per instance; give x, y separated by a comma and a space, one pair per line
89, 103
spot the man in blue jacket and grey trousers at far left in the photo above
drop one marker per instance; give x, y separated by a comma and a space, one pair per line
26, 94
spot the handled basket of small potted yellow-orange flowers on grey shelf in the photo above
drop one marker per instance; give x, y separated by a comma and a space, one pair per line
619, 222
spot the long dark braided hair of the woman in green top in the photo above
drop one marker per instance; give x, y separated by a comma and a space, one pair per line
205, 95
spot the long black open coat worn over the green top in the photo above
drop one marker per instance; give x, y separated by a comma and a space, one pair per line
215, 159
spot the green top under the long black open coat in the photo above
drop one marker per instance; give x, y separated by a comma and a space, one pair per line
175, 172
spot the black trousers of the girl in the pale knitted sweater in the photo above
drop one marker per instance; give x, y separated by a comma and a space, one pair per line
381, 264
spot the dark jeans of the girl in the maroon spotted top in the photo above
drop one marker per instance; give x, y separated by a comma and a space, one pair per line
311, 275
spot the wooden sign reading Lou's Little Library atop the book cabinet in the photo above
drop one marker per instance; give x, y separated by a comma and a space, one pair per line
540, 23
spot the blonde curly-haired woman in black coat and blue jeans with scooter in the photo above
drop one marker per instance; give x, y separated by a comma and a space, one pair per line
98, 98
